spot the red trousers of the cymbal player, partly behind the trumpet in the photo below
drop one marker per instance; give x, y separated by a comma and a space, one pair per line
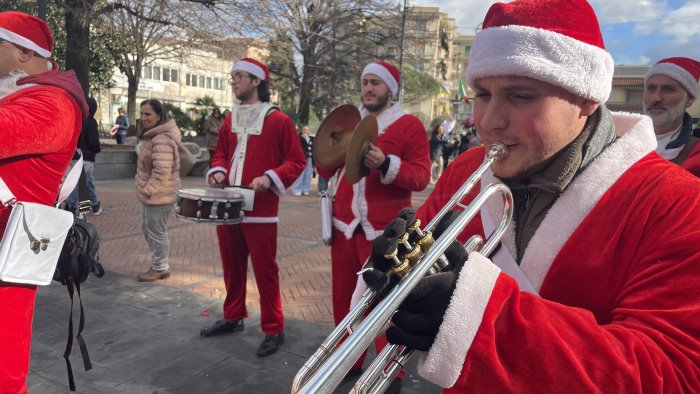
347, 258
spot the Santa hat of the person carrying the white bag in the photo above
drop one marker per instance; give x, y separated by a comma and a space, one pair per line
26, 31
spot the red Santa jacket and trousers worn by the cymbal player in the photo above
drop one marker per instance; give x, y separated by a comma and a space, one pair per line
361, 211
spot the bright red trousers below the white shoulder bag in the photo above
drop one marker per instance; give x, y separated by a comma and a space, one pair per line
16, 314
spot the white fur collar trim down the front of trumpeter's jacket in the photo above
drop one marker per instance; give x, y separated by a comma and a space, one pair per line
636, 139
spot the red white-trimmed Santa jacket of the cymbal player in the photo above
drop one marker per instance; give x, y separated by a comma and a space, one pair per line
376, 199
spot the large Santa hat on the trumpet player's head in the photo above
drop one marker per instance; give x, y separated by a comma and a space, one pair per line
554, 41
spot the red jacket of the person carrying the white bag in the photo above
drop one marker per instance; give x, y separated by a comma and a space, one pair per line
40, 126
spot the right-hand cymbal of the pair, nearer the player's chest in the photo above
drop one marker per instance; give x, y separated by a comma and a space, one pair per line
365, 132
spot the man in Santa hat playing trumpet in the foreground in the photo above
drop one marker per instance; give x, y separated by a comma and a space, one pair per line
594, 287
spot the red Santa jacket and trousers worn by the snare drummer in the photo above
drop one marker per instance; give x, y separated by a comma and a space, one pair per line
276, 153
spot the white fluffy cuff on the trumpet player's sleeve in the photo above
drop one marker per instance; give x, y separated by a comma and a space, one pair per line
444, 361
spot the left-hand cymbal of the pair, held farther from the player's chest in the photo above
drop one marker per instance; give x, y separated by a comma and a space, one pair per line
333, 136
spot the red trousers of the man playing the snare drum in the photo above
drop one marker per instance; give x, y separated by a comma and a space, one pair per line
236, 243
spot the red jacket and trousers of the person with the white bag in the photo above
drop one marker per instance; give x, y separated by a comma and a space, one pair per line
40, 120
